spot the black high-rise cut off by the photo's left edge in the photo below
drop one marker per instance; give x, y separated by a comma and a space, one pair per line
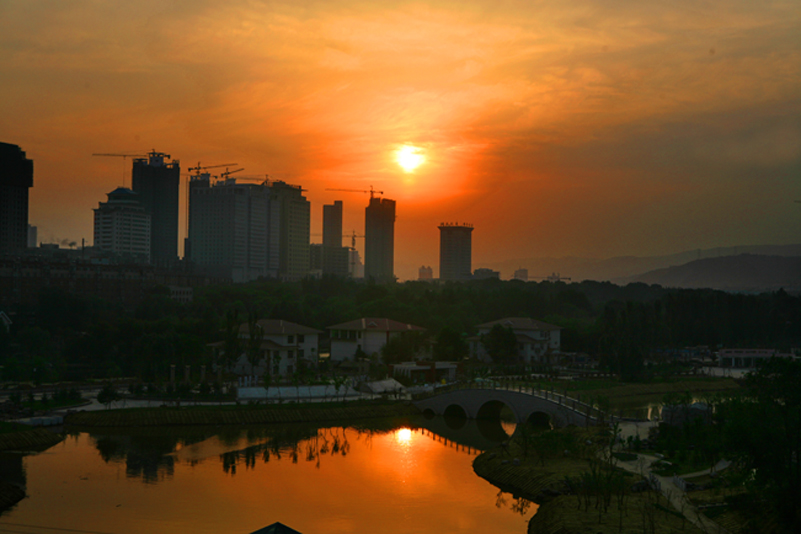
16, 177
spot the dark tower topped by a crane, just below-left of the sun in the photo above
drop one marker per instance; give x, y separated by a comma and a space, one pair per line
379, 240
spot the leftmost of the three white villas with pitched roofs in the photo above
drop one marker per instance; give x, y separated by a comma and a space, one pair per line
283, 345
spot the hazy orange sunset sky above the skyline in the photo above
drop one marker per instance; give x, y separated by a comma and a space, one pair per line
573, 128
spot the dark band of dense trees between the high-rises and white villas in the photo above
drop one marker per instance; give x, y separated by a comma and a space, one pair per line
68, 335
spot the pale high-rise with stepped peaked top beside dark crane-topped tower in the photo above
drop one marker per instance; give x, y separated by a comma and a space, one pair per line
122, 226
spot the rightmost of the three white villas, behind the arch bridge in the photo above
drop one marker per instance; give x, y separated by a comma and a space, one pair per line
535, 339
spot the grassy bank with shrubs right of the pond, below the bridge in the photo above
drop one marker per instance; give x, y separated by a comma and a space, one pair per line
548, 482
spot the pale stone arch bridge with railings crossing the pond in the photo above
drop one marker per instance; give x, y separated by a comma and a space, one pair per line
526, 405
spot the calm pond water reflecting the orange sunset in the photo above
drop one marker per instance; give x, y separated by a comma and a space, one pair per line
389, 478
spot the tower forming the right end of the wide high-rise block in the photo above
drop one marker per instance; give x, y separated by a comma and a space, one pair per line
294, 217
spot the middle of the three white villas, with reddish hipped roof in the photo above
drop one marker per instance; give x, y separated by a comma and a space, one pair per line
368, 334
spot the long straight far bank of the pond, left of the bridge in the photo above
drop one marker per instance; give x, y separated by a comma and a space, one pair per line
239, 415
